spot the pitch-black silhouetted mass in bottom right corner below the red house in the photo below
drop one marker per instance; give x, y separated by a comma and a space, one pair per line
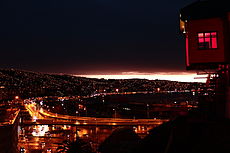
188, 134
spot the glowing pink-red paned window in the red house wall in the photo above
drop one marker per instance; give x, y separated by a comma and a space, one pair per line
207, 40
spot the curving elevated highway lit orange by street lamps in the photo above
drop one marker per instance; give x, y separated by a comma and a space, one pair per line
44, 117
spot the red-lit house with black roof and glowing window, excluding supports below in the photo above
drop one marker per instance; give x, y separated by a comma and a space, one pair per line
206, 26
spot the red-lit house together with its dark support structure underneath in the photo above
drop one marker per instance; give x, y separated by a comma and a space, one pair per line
206, 29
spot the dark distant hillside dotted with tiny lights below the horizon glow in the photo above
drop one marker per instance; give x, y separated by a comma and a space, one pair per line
33, 84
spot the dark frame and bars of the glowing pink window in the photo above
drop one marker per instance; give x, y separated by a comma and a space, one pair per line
198, 43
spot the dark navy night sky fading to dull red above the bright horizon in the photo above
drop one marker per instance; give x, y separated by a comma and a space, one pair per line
91, 36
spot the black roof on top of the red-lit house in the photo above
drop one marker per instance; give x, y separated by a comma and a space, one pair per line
205, 9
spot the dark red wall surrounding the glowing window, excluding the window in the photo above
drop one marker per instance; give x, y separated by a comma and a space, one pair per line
205, 56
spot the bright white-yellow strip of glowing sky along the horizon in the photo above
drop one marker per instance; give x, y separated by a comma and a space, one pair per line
172, 76
